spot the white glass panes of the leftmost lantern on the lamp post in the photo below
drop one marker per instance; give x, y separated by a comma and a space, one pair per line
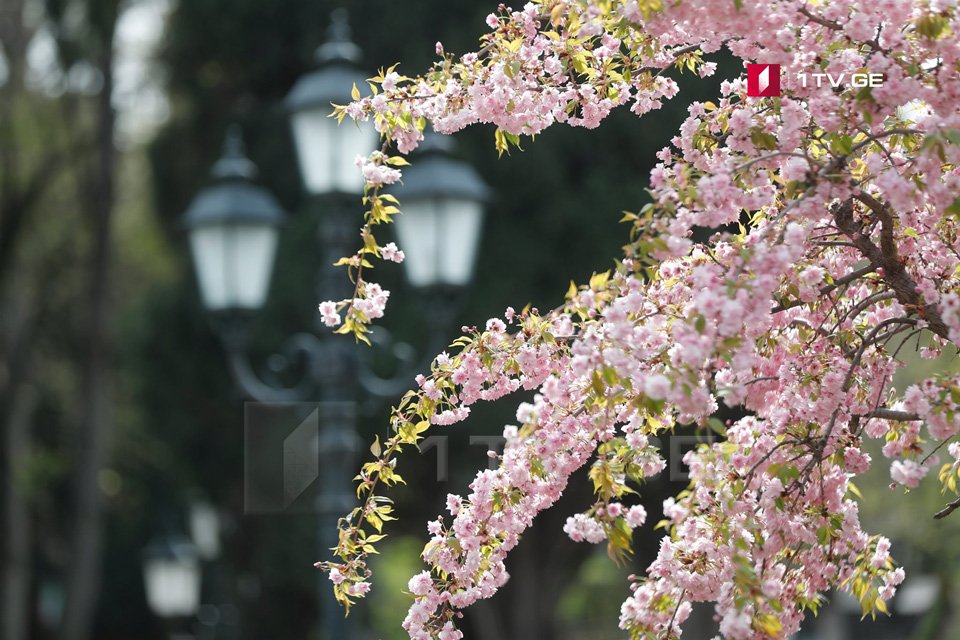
233, 262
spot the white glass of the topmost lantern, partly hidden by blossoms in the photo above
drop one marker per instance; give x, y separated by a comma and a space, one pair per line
327, 150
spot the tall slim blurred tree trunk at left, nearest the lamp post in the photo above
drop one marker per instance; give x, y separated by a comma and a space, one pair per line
84, 570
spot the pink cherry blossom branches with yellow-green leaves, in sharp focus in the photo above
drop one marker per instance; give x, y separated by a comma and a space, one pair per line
834, 213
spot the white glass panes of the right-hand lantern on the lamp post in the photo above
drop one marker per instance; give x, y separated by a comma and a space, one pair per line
439, 237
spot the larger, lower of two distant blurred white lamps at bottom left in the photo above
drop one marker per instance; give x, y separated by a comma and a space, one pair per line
171, 574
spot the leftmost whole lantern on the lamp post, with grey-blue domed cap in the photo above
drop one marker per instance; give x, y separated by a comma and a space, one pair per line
233, 226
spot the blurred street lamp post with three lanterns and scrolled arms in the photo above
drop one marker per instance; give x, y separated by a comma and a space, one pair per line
444, 198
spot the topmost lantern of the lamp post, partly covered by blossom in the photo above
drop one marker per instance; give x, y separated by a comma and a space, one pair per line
326, 150
